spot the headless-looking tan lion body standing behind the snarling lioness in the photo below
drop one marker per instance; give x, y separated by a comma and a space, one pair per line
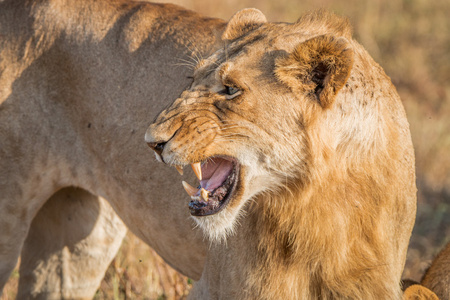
79, 82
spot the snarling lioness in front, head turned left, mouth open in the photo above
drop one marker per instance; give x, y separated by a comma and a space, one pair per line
305, 162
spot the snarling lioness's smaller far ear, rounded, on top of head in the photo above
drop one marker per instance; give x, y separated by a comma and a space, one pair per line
242, 22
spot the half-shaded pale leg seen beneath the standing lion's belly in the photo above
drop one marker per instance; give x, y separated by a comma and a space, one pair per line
70, 245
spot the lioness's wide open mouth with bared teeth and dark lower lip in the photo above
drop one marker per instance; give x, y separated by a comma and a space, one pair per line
218, 180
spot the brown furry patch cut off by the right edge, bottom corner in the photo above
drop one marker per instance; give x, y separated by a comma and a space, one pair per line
437, 277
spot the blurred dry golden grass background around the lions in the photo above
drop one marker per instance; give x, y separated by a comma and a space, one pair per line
410, 39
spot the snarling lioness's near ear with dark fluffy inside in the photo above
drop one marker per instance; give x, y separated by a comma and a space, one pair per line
317, 68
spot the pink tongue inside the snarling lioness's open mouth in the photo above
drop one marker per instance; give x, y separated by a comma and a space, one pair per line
215, 172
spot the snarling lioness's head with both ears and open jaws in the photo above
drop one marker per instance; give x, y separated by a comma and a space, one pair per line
245, 122
